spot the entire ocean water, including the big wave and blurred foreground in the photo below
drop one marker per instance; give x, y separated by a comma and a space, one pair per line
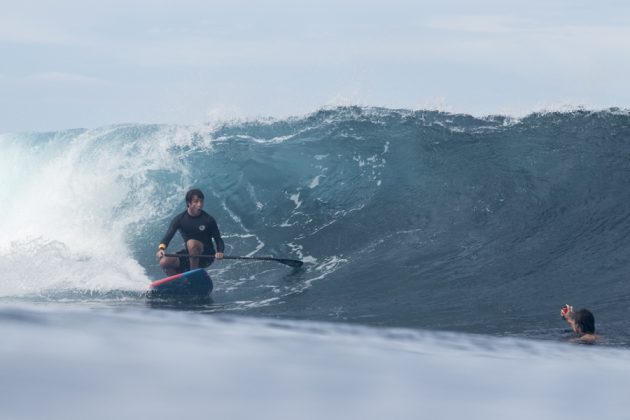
438, 249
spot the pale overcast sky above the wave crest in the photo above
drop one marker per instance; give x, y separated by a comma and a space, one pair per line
81, 63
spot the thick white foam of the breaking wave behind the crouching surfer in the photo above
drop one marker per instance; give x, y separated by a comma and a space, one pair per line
70, 202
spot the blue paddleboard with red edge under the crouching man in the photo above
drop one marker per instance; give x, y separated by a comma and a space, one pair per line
195, 283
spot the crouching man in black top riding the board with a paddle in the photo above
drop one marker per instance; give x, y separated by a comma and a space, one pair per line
199, 230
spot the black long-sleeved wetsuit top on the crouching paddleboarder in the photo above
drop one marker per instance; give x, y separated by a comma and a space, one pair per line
202, 228
